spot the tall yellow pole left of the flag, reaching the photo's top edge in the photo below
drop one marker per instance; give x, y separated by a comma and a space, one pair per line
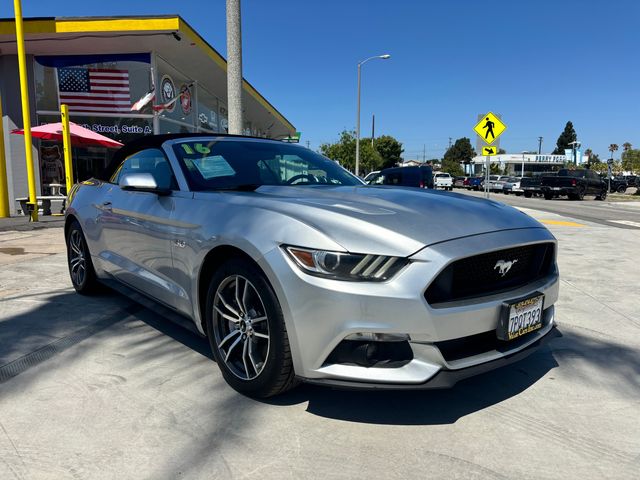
26, 112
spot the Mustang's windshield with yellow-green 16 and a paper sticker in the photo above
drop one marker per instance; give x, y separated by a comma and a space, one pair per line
213, 164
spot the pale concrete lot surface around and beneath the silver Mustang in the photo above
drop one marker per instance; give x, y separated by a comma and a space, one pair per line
98, 387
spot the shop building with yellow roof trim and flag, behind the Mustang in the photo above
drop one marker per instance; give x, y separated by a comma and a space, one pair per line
100, 67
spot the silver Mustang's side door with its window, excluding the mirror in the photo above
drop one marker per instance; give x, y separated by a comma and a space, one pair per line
137, 229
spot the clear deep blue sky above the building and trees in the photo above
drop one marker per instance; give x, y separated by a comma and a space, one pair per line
537, 63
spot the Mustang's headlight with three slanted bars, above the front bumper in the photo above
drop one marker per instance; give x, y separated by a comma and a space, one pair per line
346, 266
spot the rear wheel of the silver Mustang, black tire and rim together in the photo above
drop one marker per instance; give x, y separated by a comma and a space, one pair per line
81, 271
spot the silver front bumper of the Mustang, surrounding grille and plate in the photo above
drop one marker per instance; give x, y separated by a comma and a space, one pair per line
320, 314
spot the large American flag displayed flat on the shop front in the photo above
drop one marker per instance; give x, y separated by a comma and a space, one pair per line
94, 90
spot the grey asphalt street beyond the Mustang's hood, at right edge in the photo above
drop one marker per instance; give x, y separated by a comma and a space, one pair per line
610, 213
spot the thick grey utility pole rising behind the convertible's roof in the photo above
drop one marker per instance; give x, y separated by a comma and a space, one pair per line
234, 67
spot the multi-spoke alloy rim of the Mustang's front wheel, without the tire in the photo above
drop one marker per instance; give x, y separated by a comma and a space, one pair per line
241, 327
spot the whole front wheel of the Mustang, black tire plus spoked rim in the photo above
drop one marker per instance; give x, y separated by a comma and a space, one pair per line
273, 373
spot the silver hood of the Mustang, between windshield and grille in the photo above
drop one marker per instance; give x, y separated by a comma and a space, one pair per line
388, 220
